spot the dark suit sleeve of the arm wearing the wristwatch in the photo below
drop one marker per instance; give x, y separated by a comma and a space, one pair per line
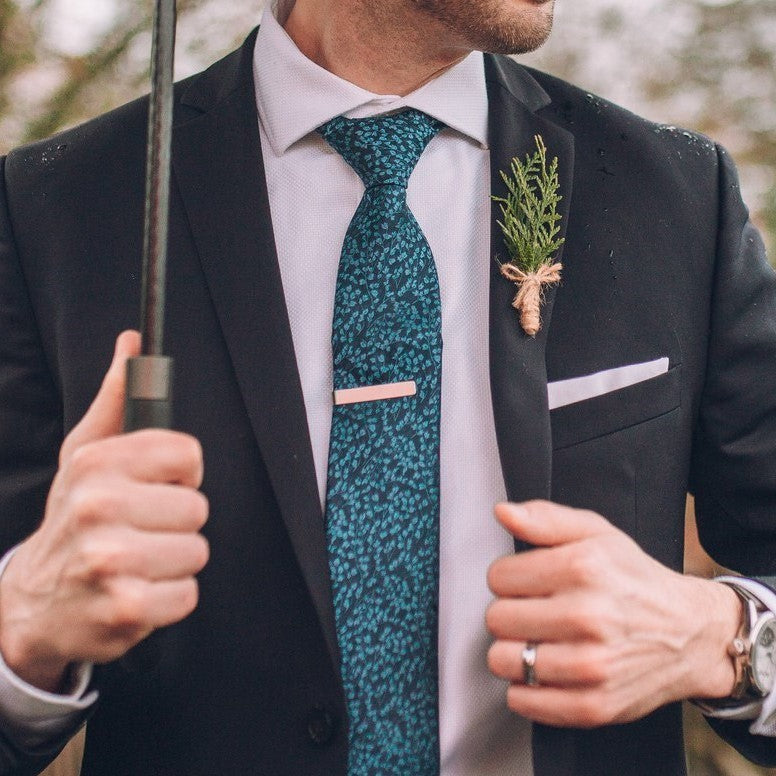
733, 474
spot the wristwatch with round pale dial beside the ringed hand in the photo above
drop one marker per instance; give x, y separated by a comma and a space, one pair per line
753, 652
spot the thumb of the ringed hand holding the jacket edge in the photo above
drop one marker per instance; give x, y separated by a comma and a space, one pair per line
545, 524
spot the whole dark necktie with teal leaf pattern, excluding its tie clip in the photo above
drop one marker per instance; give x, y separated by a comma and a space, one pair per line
382, 504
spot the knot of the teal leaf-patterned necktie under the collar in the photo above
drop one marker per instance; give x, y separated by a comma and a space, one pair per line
383, 150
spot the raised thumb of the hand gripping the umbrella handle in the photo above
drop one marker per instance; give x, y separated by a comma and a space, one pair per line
105, 415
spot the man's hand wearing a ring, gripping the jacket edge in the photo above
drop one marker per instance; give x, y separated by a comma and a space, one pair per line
618, 633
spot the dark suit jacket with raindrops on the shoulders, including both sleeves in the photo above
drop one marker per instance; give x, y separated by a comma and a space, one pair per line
660, 260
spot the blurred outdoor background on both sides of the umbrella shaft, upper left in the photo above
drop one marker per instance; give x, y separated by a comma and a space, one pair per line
45, 86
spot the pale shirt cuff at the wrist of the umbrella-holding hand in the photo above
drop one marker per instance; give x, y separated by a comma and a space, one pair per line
33, 715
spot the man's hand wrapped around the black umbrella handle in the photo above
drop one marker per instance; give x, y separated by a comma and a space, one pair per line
116, 553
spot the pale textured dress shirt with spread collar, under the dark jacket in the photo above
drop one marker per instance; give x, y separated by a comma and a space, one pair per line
313, 194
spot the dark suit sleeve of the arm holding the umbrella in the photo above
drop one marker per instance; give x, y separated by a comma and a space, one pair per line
30, 437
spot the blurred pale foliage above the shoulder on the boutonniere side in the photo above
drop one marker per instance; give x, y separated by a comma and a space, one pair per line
705, 64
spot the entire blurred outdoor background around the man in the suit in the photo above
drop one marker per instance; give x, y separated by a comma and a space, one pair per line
708, 65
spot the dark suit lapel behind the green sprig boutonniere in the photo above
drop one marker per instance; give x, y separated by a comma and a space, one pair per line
517, 367
